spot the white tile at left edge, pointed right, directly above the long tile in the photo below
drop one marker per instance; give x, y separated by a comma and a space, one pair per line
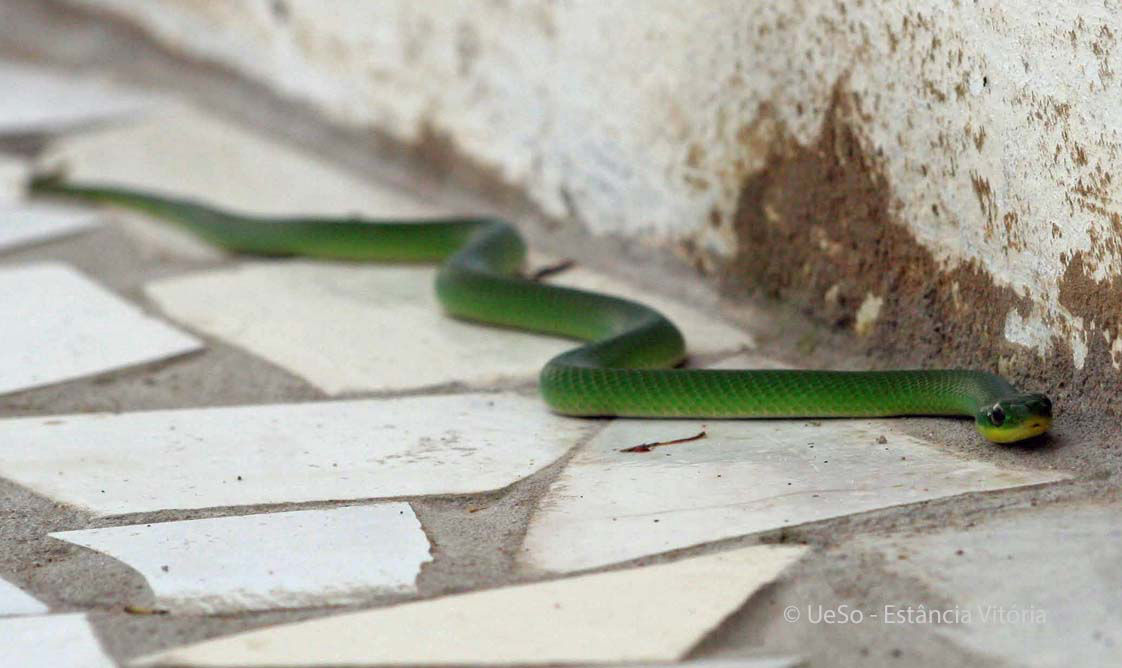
60, 326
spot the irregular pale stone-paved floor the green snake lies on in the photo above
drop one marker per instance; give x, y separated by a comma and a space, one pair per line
428, 518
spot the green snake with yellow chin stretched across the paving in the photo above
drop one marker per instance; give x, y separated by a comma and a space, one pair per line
627, 365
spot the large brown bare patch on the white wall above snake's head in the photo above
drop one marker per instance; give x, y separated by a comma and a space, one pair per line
820, 221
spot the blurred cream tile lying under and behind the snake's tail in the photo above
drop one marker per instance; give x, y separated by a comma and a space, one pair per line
188, 153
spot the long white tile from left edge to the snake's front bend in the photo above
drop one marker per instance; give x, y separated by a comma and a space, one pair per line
114, 464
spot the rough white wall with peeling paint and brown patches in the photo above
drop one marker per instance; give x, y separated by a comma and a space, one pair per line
942, 177
